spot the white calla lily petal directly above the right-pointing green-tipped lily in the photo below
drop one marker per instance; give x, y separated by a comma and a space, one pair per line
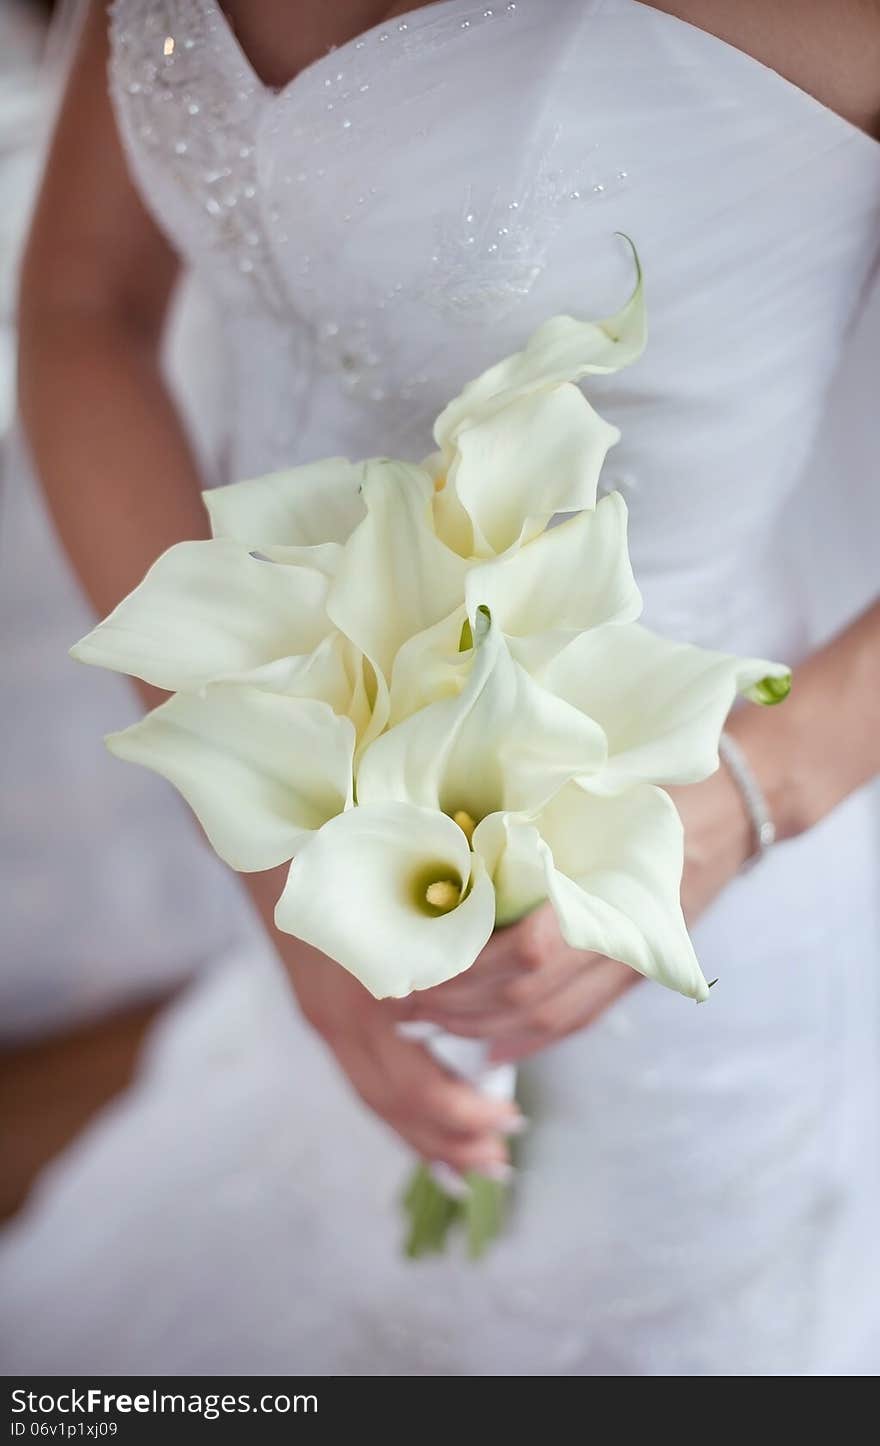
574, 578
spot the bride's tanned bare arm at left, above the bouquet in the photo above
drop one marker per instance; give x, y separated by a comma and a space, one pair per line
98, 280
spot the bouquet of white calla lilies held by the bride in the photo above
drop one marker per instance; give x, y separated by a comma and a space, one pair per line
437, 703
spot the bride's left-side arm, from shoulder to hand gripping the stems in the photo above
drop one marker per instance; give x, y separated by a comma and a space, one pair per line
124, 485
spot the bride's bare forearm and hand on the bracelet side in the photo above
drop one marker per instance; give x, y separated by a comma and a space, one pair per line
530, 990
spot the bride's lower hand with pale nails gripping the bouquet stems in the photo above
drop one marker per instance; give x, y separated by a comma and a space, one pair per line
443, 1118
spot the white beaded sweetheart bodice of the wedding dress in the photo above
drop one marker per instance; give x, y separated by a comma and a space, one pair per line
413, 205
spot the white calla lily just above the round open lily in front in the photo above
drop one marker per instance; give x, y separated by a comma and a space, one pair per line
505, 743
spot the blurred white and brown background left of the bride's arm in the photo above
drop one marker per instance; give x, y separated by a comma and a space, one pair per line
100, 929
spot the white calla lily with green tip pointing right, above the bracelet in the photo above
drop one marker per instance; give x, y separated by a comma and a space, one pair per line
663, 705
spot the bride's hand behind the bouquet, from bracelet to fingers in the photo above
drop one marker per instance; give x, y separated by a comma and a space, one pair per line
530, 988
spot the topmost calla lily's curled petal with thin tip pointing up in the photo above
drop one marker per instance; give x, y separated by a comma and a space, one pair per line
561, 351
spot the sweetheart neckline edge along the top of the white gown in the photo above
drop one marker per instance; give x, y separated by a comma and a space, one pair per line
410, 21
